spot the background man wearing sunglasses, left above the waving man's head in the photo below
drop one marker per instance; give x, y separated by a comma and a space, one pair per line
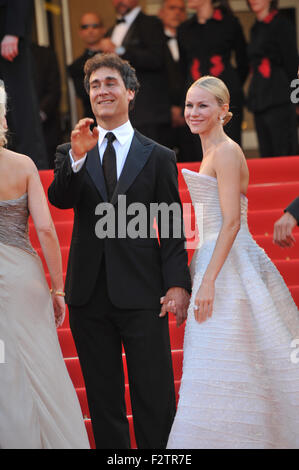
91, 32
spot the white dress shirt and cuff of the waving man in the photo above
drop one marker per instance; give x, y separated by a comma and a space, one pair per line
124, 136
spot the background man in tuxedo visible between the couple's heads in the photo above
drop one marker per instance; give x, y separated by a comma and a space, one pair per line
172, 14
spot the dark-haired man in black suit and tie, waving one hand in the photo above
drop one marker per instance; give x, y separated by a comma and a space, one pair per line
114, 284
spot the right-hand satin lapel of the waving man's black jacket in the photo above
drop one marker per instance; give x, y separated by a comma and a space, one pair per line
137, 157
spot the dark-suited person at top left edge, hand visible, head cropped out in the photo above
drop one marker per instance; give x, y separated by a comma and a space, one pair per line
16, 70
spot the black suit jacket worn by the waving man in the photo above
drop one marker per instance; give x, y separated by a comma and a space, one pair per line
139, 271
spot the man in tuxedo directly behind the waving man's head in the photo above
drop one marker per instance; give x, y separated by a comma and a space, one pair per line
139, 38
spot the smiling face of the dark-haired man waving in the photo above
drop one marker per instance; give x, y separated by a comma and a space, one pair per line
109, 97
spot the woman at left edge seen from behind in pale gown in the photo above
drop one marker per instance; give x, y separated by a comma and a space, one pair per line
39, 408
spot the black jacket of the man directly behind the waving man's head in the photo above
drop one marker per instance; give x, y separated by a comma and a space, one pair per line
145, 50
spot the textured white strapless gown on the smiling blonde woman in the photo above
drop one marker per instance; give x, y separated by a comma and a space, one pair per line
240, 382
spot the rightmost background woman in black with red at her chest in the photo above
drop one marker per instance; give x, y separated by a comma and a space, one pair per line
274, 61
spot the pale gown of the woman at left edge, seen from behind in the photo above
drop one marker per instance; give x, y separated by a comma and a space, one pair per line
39, 408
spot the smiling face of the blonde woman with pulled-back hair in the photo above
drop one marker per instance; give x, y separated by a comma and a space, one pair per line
202, 112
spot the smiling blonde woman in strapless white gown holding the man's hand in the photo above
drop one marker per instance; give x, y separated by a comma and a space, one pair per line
240, 386
